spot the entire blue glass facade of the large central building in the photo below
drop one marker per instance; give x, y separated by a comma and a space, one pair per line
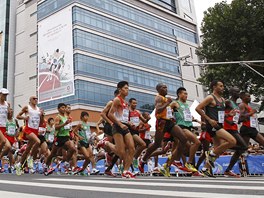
124, 42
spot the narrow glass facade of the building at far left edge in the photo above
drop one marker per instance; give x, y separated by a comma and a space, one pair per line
4, 35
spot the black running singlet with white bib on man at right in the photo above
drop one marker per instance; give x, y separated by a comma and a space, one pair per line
217, 112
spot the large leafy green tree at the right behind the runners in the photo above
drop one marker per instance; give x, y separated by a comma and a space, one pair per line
234, 32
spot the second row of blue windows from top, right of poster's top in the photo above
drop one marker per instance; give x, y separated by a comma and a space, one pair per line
115, 28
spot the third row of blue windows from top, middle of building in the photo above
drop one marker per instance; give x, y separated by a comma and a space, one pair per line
97, 44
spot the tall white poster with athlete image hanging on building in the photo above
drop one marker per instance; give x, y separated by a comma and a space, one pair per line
55, 56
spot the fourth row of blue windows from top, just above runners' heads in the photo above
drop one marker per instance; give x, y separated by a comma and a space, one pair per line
115, 72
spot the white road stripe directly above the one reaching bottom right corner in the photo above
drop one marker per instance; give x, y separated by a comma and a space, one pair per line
130, 182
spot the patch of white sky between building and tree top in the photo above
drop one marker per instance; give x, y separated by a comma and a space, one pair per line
203, 5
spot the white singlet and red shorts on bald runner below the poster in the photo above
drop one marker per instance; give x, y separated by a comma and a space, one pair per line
32, 124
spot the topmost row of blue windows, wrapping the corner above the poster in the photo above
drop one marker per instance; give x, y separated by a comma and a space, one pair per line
124, 12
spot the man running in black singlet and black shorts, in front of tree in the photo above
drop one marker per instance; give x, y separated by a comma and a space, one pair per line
212, 110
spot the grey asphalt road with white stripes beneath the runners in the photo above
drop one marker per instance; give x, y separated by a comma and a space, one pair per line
35, 186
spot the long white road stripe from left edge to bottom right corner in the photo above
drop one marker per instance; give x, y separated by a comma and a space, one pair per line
130, 190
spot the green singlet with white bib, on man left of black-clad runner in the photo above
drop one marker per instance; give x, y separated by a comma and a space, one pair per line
183, 116
